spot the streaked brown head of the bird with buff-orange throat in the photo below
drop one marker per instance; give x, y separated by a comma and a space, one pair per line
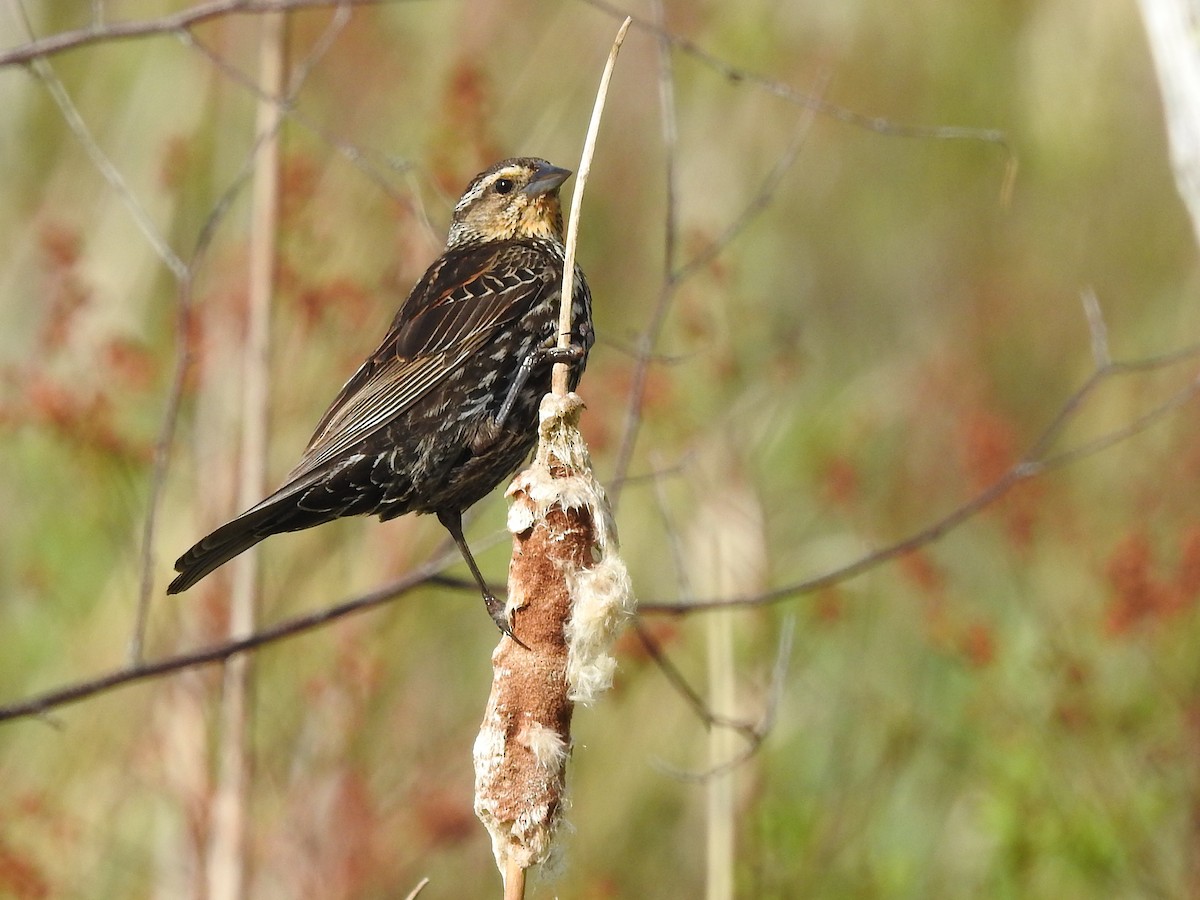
514, 199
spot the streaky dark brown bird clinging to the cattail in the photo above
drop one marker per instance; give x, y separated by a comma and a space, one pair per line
447, 409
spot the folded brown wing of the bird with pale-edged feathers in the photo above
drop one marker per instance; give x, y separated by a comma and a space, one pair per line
452, 314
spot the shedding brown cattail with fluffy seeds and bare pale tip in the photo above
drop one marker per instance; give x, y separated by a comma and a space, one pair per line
569, 595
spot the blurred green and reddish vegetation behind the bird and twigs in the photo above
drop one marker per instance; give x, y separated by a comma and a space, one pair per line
1011, 712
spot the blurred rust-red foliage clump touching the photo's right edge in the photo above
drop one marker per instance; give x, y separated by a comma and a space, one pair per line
1139, 593
